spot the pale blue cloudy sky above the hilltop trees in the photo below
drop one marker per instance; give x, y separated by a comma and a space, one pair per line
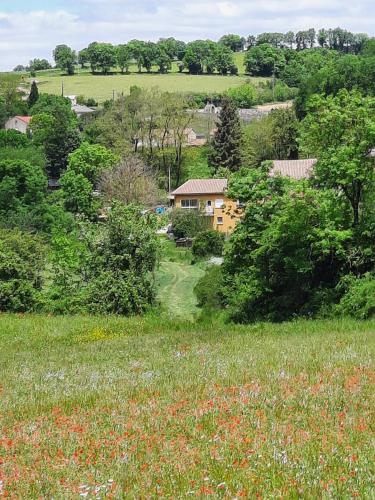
32, 28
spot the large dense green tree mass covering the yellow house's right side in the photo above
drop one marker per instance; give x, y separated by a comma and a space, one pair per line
287, 256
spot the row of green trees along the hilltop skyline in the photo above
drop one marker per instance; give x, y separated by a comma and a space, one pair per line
199, 56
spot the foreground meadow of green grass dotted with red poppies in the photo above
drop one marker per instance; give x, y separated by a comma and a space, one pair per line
146, 407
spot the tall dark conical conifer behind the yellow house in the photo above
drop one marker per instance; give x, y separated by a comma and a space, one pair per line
226, 144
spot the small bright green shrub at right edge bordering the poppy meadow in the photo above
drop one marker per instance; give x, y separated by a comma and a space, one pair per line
359, 298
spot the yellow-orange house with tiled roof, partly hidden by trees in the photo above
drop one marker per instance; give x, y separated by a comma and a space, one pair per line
208, 196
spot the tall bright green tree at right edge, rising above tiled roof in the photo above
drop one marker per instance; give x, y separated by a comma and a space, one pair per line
340, 132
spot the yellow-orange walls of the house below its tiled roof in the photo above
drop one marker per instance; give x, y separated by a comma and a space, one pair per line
229, 213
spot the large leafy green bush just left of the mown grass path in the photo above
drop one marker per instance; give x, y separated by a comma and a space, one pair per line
122, 263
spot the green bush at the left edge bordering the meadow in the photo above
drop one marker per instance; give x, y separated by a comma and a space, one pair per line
21, 266
